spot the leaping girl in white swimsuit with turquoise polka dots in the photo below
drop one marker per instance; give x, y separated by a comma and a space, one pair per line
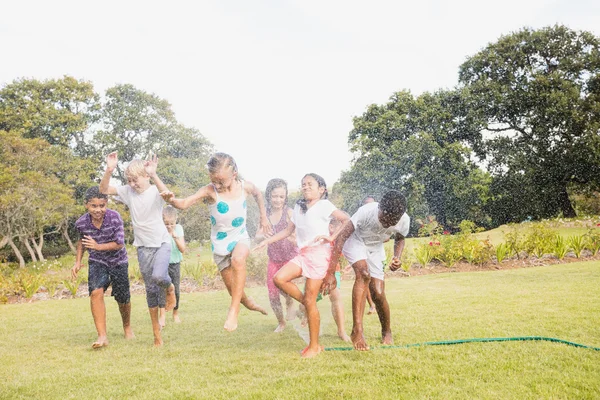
226, 196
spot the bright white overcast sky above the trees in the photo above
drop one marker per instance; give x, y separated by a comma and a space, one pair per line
275, 84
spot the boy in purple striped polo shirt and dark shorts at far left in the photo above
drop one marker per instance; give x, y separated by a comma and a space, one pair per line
101, 234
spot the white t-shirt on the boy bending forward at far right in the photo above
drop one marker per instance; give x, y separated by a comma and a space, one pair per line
368, 229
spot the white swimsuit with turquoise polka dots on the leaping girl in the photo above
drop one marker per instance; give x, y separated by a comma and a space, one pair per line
228, 223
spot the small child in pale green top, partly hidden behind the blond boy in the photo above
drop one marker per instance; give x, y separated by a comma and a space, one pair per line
177, 250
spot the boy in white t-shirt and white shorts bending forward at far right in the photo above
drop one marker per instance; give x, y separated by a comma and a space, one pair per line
362, 238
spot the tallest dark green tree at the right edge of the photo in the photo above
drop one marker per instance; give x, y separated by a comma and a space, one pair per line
532, 108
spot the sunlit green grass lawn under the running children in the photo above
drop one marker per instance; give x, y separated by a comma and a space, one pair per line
45, 346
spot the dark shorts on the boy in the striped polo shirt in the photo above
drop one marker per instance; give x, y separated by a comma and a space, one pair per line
102, 276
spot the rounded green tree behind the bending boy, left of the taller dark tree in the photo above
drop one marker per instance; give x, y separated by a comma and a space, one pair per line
415, 145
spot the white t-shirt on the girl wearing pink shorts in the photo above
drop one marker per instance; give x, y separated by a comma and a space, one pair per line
312, 224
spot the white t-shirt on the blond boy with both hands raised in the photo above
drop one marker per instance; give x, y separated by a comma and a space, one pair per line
145, 209
